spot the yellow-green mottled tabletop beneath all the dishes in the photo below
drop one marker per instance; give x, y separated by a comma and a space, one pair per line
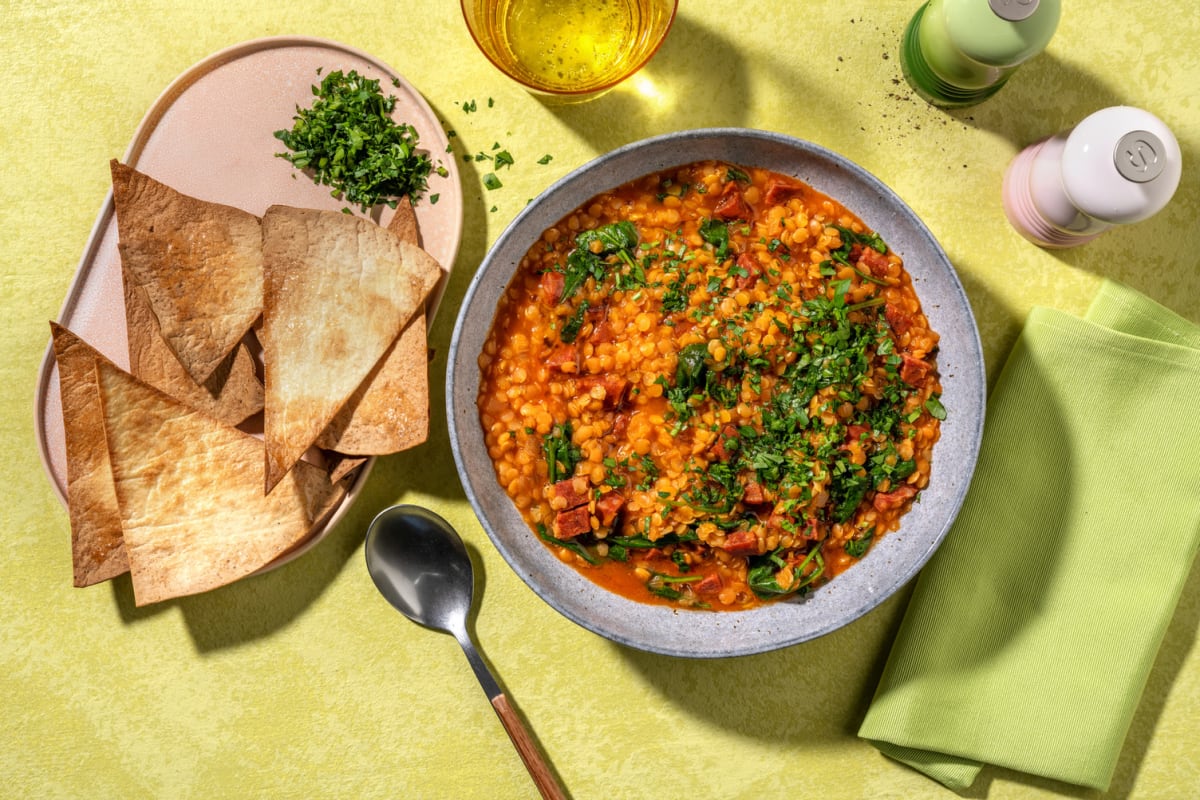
303, 683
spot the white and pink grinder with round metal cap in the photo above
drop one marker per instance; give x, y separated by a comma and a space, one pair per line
1120, 165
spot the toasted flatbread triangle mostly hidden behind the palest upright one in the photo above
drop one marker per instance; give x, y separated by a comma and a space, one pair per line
391, 411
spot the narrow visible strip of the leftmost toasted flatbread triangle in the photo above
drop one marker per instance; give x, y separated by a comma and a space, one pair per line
98, 551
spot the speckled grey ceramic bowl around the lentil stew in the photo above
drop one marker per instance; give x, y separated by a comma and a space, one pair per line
891, 563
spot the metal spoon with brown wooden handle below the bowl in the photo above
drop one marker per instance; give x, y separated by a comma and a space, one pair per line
422, 568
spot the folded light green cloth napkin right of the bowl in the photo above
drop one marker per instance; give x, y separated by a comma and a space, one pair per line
1031, 633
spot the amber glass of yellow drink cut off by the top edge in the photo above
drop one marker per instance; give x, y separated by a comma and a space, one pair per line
569, 50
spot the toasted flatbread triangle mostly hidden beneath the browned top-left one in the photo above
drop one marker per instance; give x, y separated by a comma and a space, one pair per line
232, 394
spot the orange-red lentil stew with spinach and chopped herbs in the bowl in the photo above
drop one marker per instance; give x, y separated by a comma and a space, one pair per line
712, 387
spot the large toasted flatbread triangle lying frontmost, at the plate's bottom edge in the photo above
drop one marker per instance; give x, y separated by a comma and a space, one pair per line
190, 494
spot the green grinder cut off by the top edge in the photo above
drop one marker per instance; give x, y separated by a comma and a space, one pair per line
959, 53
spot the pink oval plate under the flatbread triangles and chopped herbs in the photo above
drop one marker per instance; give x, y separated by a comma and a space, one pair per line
211, 135
